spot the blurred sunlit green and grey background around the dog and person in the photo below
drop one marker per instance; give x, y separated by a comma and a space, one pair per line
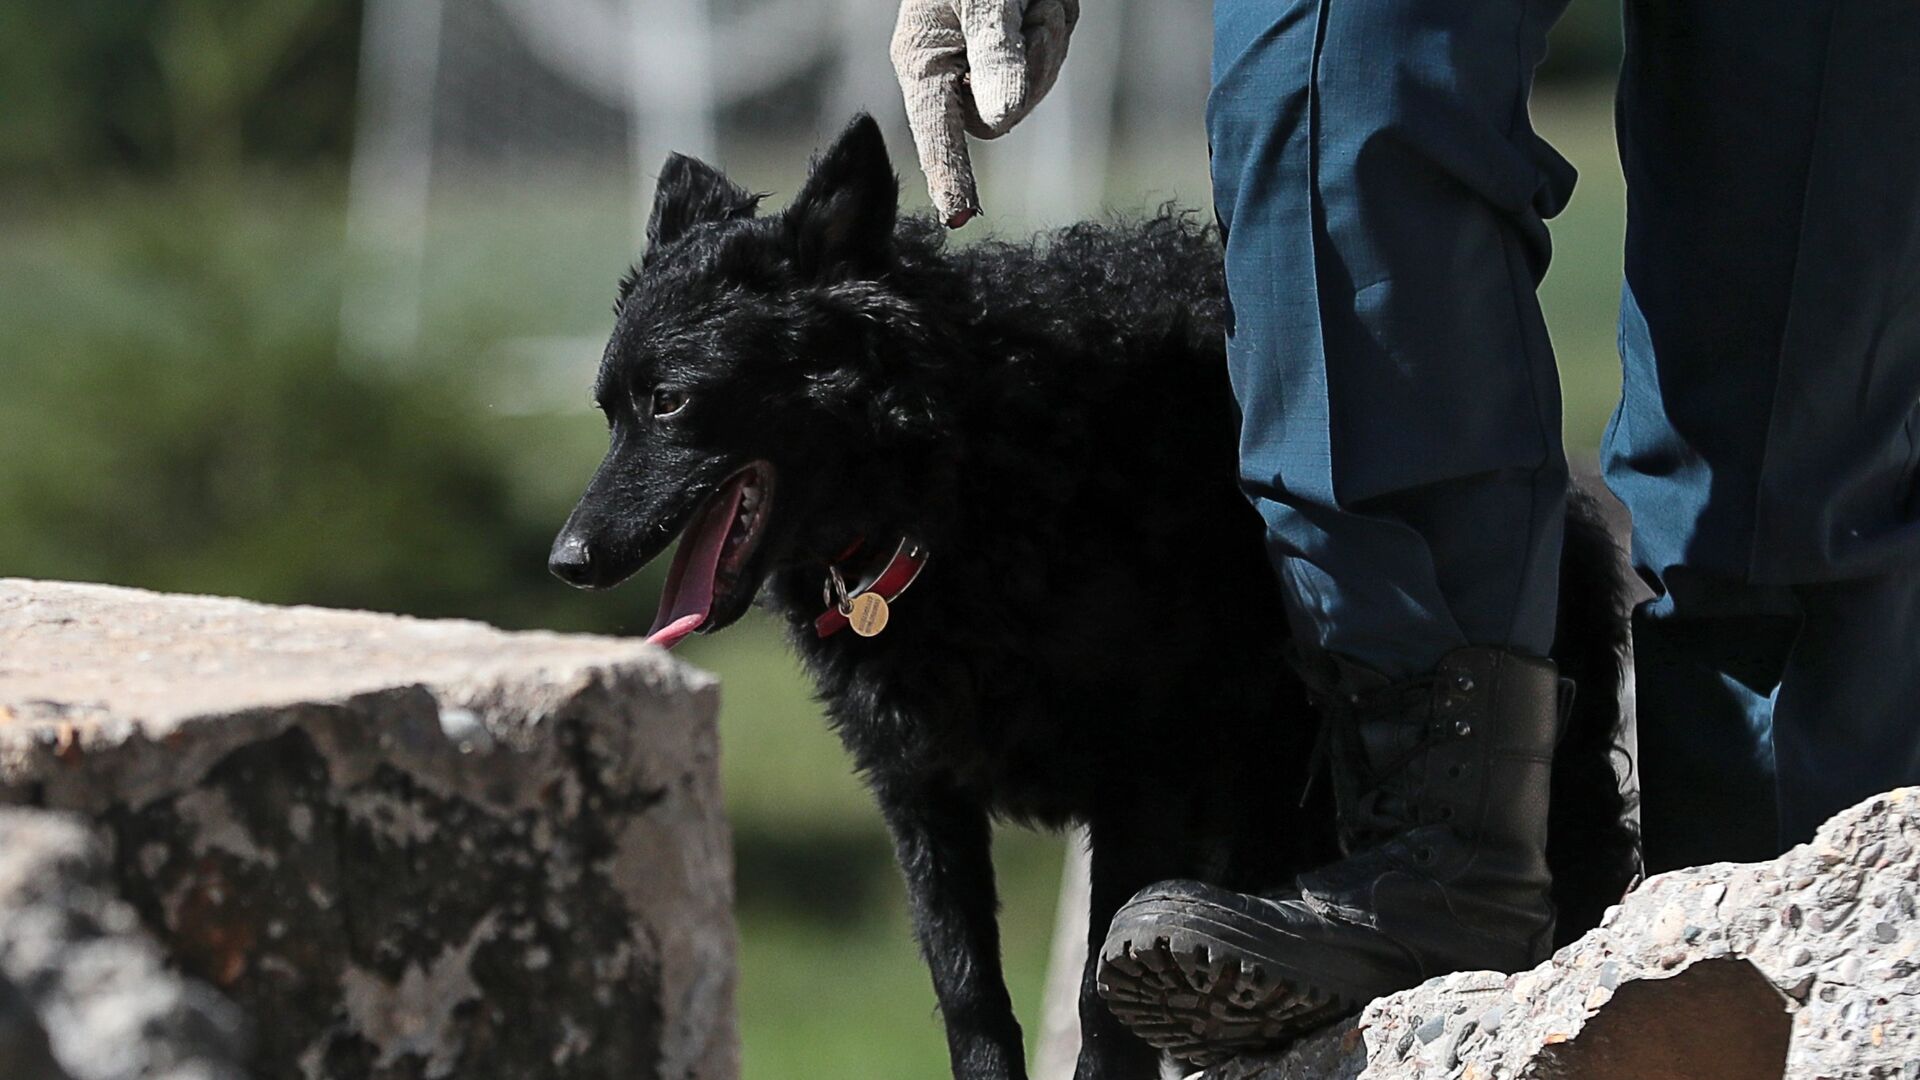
300, 303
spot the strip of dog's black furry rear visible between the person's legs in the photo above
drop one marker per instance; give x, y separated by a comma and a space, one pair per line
1593, 841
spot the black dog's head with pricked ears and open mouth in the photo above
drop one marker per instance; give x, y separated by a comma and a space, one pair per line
744, 380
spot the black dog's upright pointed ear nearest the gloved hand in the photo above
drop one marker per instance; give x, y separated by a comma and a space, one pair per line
842, 222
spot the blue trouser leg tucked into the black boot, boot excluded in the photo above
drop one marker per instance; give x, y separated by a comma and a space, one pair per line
1383, 197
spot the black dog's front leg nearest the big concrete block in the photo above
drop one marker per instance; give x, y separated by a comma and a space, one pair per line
946, 850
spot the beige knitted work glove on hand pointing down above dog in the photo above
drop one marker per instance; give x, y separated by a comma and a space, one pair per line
974, 68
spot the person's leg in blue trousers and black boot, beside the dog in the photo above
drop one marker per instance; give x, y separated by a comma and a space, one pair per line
1383, 195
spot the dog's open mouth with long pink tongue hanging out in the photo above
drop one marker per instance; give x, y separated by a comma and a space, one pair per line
708, 574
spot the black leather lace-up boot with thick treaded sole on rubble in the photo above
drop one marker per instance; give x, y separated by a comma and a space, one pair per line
1441, 789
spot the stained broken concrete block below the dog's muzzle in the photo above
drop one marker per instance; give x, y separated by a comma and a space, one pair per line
402, 848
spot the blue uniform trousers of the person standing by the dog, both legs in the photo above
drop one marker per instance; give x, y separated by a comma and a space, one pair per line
1383, 199
